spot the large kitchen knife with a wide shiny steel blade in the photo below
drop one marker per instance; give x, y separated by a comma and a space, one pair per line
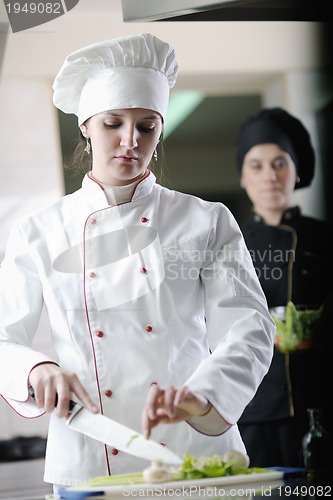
112, 433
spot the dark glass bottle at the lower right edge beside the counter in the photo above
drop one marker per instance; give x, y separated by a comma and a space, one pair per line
317, 447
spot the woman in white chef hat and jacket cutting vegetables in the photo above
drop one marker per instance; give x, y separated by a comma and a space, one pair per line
156, 312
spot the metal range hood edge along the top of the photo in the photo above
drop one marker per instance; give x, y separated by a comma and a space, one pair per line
223, 10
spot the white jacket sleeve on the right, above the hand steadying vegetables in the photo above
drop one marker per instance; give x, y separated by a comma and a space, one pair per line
239, 326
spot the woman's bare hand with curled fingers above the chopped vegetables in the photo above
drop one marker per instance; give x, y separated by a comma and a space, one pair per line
170, 405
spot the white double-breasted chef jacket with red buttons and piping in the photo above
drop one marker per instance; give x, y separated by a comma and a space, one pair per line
159, 289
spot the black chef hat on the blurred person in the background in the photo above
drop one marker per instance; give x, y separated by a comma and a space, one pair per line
275, 125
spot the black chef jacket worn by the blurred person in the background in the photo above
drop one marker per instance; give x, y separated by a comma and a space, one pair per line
294, 262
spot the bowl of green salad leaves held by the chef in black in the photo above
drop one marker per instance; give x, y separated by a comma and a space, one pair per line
296, 328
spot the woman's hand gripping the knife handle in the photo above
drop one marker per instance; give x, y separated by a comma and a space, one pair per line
53, 388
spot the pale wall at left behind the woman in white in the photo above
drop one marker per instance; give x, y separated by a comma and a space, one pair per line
31, 172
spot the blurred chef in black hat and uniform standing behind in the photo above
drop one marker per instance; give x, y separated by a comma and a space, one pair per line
293, 259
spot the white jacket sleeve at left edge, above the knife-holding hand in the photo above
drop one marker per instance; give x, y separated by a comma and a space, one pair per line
21, 302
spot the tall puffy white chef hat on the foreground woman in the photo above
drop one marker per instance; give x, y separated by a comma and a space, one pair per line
136, 71
